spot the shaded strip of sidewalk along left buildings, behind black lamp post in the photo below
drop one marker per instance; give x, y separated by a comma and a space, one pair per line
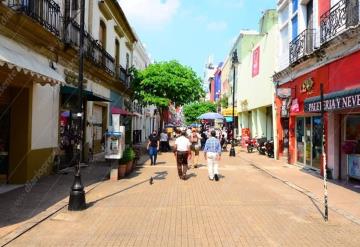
37, 196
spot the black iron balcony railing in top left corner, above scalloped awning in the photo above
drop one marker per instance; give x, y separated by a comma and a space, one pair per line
46, 12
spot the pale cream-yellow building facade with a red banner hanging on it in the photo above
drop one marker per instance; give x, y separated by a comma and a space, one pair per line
255, 87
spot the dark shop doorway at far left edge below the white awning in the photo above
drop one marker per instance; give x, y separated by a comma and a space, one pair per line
4, 142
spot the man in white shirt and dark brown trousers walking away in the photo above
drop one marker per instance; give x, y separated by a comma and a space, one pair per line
182, 154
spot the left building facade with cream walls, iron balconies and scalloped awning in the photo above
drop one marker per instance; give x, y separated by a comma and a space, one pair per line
38, 79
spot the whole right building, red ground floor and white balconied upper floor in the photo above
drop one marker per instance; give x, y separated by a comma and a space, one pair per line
323, 52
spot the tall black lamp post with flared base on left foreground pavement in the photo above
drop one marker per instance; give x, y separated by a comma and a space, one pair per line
77, 194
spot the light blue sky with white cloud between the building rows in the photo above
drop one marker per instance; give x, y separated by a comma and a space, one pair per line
191, 30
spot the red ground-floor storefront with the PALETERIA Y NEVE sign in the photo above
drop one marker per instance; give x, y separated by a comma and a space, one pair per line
299, 119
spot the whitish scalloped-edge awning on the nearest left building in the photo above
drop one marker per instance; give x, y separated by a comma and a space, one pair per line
29, 64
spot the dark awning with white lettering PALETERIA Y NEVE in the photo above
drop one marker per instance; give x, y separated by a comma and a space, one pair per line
346, 99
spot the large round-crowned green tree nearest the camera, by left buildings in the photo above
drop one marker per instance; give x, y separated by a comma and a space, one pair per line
165, 82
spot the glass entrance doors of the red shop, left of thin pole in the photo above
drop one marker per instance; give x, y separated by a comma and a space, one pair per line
309, 141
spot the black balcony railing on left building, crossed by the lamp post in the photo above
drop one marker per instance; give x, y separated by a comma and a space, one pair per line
93, 50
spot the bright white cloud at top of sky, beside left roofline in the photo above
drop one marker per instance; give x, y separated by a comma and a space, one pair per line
151, 13
